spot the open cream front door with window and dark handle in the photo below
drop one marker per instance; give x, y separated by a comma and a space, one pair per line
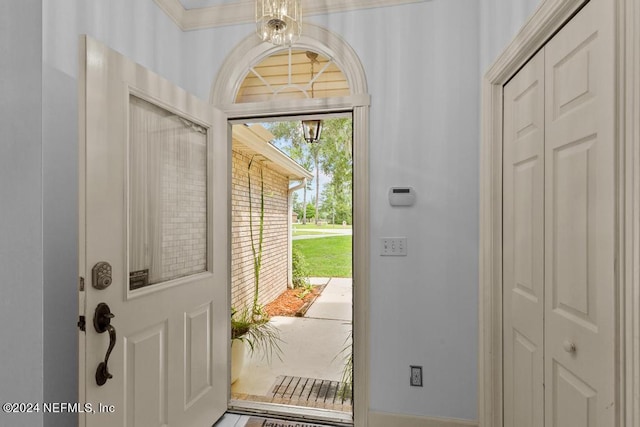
153, 248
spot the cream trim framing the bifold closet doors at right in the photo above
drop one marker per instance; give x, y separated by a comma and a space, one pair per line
547, 19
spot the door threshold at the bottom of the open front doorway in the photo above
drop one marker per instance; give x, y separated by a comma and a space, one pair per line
291, 413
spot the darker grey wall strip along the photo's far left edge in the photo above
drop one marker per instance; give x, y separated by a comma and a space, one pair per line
21, 289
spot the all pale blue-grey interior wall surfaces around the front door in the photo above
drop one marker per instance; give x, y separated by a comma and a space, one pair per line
424, 81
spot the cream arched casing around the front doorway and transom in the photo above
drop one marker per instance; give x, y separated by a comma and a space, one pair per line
246, 54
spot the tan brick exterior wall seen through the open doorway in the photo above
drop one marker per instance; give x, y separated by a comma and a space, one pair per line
274, 271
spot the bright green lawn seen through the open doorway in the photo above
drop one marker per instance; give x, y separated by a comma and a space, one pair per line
327, 256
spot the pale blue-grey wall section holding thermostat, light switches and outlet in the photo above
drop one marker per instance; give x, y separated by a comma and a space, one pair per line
421, 62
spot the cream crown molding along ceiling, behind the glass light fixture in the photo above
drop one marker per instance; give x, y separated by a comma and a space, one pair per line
242, 11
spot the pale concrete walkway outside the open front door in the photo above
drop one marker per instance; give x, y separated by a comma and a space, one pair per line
311, 345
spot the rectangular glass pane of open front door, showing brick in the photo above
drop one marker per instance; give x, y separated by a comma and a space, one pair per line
168, 194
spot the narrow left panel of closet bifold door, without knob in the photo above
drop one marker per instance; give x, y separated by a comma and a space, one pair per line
523, 291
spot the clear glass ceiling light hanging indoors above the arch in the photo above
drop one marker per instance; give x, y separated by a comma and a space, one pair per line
279, 21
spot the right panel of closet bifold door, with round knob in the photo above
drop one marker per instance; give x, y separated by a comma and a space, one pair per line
579, 222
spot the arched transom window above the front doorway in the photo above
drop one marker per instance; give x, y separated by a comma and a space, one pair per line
293, 73
